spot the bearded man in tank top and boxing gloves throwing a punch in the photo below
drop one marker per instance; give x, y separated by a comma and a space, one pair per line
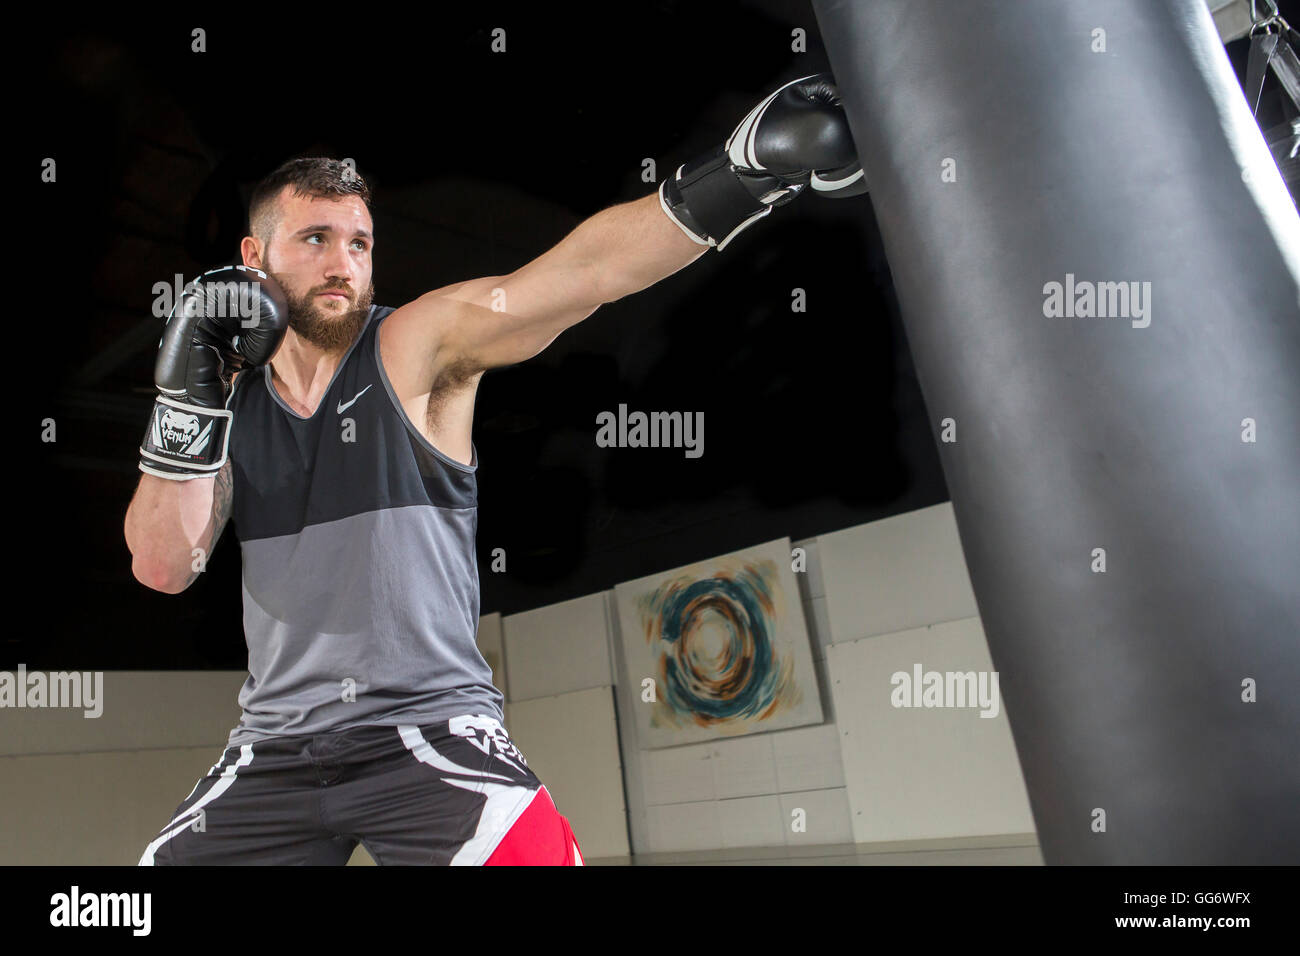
337, 436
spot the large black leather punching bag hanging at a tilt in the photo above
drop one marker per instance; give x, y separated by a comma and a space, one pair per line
1098, 267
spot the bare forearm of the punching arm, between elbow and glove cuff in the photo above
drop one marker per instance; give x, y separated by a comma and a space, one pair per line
632, 246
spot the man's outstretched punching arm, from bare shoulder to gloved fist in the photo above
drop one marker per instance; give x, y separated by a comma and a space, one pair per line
796, 139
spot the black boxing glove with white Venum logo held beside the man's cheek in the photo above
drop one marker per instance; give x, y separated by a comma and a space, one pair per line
226, 321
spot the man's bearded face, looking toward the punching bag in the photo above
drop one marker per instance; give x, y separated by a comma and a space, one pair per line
320, 254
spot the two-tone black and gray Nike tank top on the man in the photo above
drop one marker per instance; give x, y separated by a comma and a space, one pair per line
361, 577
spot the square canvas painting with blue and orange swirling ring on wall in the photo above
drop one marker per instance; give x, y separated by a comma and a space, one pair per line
725, 643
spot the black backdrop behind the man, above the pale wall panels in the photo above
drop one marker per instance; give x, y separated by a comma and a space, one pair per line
480, 162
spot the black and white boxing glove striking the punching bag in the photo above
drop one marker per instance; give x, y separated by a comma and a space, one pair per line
799, 137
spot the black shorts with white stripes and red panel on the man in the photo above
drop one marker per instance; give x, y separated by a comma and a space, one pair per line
457, 793
